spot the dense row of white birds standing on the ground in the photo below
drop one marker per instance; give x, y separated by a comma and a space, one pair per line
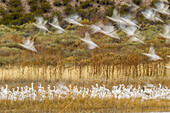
147, 92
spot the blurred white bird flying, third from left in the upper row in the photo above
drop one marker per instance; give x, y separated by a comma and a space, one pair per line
74, 19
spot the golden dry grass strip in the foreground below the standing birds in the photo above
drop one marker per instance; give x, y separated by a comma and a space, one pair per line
86, 105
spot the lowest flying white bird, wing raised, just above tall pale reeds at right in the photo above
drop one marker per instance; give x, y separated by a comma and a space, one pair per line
152, 55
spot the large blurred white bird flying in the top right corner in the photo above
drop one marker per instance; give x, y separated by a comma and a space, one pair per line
162, 8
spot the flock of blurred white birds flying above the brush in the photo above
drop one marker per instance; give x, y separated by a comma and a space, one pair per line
126, 23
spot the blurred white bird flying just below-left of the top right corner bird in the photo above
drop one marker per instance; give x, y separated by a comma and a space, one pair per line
150, 14
